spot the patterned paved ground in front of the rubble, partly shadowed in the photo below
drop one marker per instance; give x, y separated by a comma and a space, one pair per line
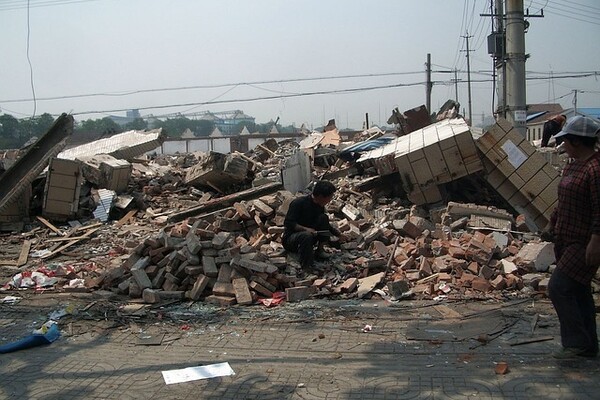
310, 350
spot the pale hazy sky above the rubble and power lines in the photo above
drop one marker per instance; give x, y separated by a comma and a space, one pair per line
92, 54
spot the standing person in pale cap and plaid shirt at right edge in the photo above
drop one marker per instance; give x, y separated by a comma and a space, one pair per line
575, 225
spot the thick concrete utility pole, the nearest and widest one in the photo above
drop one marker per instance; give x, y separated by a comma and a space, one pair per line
516, 102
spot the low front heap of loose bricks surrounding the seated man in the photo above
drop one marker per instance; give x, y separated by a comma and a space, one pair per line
238, 258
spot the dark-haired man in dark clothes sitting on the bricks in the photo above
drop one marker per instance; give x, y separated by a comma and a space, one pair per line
307, 226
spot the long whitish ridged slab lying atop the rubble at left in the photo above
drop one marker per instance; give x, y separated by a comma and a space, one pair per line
126, 146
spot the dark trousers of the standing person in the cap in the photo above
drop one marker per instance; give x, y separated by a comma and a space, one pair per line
576, 311
